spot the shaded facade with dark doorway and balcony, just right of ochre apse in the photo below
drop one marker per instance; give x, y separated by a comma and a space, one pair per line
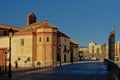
64, 47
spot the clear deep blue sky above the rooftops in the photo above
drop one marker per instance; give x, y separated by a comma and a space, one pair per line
83, 20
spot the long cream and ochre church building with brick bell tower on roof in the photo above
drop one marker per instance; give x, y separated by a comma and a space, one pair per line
36, 44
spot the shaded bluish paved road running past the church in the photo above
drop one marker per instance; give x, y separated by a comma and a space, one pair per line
77, 71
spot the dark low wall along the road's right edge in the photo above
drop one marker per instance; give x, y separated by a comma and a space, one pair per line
113, 68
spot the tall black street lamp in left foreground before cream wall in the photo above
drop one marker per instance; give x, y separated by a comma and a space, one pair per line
10, 35
